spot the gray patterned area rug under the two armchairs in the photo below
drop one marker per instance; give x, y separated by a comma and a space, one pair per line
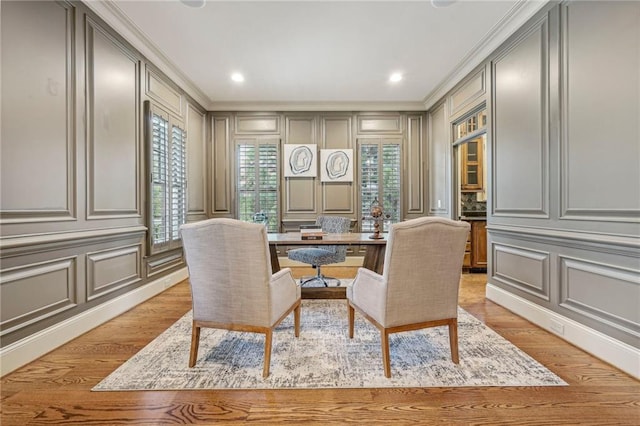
324, 357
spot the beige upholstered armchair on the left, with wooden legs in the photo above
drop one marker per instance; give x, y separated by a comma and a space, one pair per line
232, 286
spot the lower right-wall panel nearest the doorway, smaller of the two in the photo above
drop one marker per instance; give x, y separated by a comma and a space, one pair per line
521, 268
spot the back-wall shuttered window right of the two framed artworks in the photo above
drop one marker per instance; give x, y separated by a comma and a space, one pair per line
380, 165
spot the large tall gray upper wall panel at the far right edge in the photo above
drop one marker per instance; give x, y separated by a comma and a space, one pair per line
600, 112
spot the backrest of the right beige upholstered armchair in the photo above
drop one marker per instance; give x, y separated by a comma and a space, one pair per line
422, 267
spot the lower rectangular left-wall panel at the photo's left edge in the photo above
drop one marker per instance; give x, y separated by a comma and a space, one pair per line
43, 289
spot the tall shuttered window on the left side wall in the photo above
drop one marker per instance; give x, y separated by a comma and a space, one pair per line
168, 181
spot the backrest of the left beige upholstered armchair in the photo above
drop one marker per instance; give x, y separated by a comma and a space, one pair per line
229, 270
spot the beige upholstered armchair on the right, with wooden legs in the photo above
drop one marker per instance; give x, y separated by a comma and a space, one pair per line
419, 284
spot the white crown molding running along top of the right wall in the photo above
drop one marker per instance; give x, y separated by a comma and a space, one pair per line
519, 14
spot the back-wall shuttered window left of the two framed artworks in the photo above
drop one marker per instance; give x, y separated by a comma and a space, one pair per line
258, 178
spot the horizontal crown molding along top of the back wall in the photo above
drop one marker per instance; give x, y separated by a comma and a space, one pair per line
316, 106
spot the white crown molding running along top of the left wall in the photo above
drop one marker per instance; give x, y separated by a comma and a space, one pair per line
119, 21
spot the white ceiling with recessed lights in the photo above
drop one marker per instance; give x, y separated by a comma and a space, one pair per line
334, 54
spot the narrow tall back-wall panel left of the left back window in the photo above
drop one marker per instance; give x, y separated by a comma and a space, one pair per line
221, 170
